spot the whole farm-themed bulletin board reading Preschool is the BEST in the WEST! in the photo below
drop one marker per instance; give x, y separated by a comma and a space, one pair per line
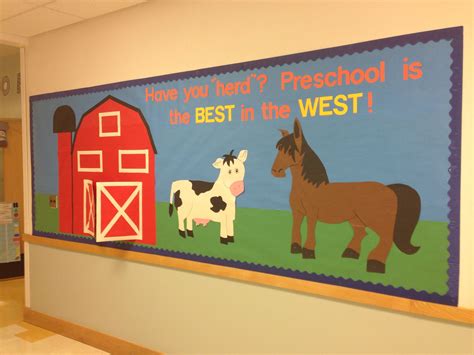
338, 166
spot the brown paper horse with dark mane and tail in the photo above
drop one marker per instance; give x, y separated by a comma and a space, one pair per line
391, 211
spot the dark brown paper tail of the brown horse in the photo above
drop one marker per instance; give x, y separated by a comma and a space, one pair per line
408, 213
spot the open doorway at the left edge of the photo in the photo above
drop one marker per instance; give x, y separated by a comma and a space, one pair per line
11, 164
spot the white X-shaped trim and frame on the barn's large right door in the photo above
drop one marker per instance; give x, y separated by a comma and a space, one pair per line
101, 188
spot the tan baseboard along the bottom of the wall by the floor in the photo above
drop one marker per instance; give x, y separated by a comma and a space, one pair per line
84, 335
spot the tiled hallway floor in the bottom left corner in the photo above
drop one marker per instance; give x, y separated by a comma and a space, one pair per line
18, 337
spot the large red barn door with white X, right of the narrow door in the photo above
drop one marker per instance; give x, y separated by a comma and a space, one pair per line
119, 211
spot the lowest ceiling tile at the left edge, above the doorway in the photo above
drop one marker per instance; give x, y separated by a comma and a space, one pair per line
36, 21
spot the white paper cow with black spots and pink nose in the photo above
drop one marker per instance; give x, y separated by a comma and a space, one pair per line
202, 201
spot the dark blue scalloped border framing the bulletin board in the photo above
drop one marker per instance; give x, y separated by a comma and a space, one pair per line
454, 34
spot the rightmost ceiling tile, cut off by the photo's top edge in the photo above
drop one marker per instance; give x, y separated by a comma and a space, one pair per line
91, 8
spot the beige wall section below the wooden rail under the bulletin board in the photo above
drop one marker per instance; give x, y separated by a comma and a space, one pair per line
182, 312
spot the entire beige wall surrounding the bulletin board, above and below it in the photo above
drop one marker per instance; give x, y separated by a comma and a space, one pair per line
164, 37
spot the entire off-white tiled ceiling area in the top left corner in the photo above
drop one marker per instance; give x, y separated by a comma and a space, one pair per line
26, 18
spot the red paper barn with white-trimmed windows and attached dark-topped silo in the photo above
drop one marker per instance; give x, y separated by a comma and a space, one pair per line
107, 173
